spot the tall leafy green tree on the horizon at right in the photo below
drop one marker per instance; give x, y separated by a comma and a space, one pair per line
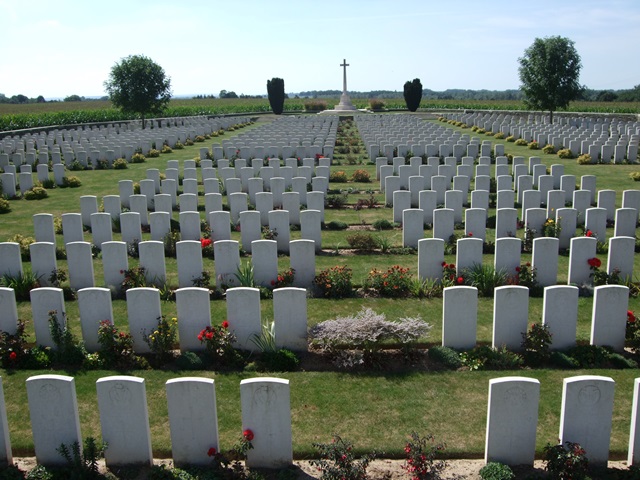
549, 72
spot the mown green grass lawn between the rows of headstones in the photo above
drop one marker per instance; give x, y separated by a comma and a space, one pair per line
375, 410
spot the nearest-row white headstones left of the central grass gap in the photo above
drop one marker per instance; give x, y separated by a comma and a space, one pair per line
124, 420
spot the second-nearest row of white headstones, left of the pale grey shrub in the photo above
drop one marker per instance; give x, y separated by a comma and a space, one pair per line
144, 310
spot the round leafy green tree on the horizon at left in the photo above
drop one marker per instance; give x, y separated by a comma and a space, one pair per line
138, 85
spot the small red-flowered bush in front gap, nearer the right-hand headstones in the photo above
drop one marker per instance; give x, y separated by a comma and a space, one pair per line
420, 454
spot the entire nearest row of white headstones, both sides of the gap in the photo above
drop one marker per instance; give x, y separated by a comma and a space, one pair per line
512, 417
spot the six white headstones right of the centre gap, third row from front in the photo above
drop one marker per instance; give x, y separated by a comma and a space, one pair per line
544, 258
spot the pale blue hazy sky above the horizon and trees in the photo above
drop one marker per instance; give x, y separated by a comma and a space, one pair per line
58, 48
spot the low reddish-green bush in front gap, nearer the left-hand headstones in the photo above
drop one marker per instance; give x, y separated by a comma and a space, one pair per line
338, 461
